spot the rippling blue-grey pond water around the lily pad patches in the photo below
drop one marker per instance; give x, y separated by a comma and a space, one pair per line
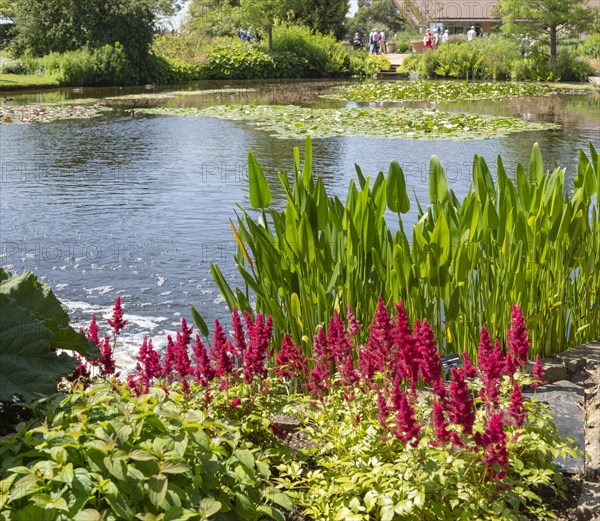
139, 206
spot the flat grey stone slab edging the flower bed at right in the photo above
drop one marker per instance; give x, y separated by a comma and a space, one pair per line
565, 400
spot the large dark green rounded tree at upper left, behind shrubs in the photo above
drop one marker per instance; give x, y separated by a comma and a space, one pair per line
45, 26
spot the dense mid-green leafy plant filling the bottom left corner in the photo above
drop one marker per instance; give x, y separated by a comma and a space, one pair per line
101, 454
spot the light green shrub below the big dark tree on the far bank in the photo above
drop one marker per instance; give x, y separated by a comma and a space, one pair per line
106, 65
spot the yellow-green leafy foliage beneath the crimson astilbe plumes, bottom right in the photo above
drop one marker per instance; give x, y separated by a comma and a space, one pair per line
358, 474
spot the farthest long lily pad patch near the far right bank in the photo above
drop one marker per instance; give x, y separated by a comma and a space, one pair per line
439, 91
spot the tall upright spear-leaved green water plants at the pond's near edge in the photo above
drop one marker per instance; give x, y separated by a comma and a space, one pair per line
523, 242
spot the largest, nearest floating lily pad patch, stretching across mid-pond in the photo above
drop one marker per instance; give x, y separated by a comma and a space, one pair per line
392, 123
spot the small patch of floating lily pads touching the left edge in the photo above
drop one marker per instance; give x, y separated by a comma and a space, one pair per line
46, 114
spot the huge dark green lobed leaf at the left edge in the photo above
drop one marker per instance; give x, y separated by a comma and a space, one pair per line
33, 322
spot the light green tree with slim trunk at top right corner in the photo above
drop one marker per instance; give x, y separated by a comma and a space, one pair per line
550, 17
